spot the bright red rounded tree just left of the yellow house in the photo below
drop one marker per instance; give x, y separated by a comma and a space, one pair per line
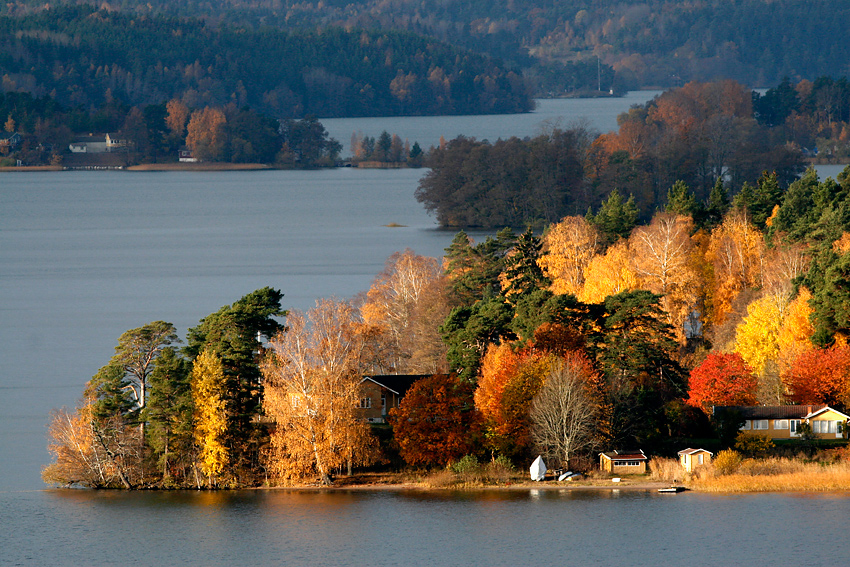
722, 380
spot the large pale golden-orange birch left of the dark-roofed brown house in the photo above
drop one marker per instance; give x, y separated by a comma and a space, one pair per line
312, 383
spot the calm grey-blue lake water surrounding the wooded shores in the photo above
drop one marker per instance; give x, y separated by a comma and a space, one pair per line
85, 256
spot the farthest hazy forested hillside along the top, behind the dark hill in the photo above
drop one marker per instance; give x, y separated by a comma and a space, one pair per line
637, 42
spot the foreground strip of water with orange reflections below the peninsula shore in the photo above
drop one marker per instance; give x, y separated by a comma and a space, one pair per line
501, 527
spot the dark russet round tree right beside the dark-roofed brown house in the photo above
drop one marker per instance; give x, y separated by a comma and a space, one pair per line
436, 422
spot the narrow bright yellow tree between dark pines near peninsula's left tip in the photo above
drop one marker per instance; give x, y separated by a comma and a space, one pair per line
207, 381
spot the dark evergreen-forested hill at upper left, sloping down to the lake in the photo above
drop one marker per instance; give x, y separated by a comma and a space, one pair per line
86, 56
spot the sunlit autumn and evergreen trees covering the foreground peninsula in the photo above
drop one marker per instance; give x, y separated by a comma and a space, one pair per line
599, 332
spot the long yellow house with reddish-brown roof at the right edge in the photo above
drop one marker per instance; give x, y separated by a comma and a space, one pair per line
783, 422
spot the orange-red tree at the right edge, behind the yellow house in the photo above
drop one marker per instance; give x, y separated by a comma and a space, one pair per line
821, 376
